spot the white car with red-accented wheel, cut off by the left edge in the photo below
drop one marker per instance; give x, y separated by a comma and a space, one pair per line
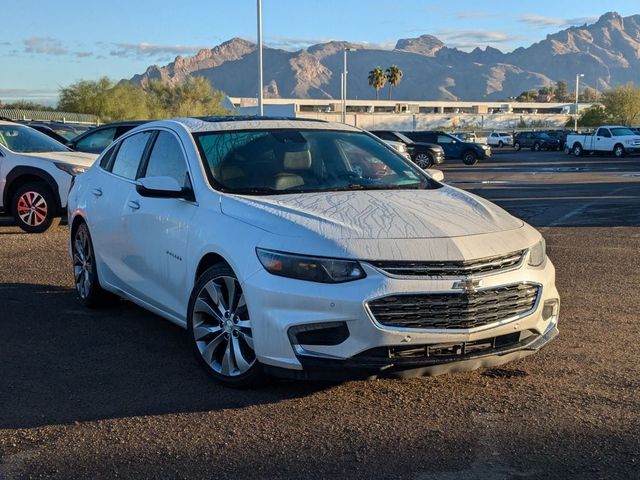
35, 174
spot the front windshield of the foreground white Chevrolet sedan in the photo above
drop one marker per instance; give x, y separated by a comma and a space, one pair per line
270, 162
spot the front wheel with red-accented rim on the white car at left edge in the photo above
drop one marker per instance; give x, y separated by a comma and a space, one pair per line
34, 208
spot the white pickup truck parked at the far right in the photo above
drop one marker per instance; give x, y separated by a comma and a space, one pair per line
616, 140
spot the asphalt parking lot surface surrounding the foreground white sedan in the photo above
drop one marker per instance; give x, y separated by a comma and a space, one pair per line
116, 392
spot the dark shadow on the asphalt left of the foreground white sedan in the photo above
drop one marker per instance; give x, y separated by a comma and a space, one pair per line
80, 365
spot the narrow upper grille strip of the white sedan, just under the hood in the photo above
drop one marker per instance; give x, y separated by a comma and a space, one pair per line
451, 269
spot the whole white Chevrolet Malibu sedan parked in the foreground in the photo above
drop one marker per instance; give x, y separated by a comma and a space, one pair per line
284, 248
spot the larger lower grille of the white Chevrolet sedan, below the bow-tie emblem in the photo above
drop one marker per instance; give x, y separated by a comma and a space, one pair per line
455, 310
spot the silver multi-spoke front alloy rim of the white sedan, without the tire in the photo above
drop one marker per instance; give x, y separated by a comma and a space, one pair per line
222, 328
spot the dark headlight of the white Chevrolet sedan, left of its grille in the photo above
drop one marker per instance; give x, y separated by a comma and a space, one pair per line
312, 269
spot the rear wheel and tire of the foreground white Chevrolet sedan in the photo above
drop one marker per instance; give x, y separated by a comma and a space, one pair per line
85, 272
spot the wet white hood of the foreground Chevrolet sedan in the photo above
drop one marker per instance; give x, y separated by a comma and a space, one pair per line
443, 212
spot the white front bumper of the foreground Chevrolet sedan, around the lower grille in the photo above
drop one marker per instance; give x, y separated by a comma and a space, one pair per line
277, 304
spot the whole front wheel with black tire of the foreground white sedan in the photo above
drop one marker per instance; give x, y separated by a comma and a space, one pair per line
220, 330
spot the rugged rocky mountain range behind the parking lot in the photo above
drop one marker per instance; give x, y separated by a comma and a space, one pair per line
607, 52
